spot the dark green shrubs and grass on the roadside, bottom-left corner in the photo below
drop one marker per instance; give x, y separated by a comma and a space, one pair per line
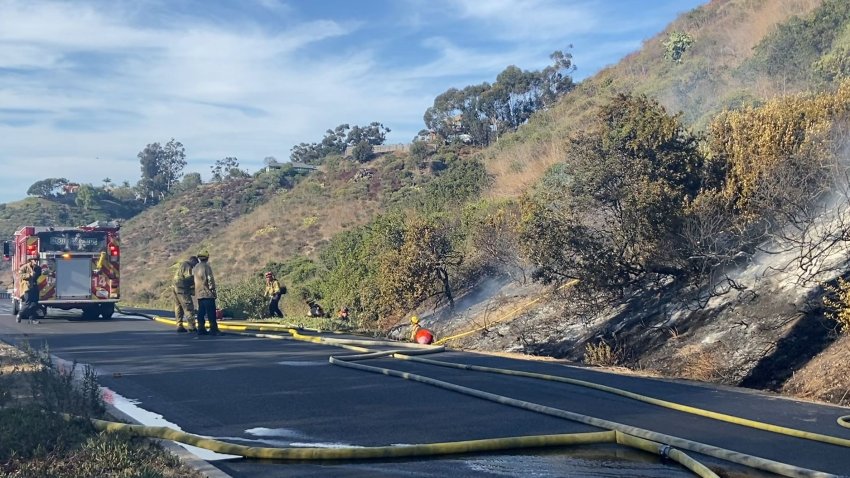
36, 441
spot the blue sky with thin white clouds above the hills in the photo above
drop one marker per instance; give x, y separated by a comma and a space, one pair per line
85, 85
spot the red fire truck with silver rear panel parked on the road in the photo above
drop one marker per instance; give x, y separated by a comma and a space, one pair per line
79, 266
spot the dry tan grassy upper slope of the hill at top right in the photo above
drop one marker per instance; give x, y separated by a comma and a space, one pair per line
717, 72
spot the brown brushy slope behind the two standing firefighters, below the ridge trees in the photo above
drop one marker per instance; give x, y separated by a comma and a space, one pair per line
291, 222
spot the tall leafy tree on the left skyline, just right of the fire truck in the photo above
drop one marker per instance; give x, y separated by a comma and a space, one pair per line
162, 168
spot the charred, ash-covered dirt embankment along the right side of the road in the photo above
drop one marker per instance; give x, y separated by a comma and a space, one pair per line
772, 334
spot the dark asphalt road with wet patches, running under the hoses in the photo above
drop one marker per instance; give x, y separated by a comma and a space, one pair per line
266, 392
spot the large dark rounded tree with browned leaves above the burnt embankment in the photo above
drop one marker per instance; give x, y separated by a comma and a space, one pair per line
609, 216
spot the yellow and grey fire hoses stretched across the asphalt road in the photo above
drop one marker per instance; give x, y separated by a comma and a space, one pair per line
643, 439
